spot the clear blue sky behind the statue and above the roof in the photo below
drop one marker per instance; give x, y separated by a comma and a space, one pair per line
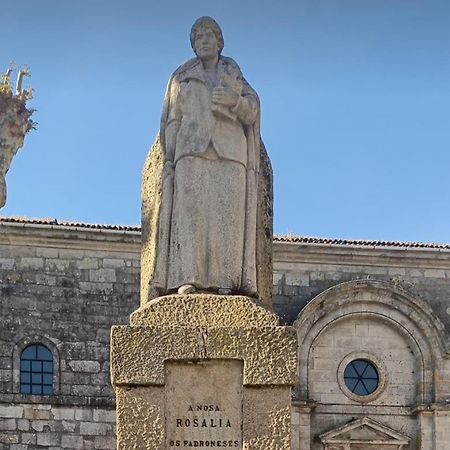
355, 101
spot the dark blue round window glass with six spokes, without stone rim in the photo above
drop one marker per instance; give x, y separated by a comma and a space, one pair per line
361, 377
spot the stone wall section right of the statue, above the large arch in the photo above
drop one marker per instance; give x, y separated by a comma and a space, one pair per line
303, 270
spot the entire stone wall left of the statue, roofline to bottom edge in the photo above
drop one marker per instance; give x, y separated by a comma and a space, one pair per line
63, 287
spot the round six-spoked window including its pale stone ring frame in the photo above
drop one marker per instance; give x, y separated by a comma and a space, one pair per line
361, 376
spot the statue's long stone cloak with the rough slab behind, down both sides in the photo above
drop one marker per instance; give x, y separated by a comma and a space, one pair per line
157, 211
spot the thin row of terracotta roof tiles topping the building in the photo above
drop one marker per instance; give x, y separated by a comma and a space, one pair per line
287, 238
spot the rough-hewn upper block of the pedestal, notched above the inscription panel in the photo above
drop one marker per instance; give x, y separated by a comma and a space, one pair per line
138, 353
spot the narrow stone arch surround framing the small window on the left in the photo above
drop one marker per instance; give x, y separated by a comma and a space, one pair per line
51, 344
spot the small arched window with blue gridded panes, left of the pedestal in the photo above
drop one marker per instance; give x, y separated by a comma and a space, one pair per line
36, 370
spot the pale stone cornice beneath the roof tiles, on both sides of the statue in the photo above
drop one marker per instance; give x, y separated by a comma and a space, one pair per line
79, 237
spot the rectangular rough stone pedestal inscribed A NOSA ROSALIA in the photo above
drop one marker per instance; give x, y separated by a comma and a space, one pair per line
151, 365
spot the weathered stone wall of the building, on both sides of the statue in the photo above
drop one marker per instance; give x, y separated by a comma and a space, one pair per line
64, 286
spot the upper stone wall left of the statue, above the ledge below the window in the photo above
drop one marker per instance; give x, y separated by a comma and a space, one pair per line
65, 288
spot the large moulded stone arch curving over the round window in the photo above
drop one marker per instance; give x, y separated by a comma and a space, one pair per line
410, 316
